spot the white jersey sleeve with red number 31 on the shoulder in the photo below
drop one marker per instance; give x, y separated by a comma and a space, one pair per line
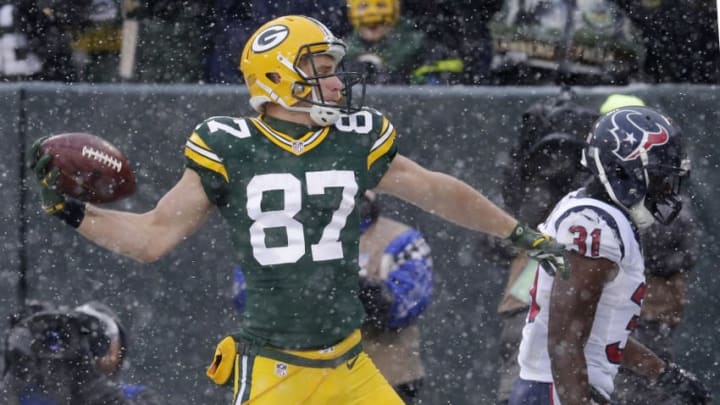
592, 232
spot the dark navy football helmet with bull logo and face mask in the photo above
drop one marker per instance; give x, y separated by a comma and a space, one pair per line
638, 156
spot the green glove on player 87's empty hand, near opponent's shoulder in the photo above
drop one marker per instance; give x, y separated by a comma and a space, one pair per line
543, 248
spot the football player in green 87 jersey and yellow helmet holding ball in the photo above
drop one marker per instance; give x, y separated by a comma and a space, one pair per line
288, 183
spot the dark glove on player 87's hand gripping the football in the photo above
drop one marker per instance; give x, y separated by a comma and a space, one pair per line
52, 201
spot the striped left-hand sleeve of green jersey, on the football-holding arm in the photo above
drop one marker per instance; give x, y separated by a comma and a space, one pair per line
203, 153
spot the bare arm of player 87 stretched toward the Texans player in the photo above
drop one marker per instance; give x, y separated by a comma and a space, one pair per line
445, 196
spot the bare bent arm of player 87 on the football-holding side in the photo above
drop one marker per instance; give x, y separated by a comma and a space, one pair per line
149, 236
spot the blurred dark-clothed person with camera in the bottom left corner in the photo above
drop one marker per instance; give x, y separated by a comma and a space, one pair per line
59, 356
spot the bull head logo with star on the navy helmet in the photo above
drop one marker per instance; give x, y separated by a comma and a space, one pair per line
631, 138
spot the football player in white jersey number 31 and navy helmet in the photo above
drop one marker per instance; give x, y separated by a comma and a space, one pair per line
576, 333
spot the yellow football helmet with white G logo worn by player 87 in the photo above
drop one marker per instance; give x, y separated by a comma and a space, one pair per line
270, 64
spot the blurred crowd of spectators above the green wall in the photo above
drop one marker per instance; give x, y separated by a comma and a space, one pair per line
471, 42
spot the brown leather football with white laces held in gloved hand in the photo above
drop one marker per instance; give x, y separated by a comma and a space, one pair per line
91, 168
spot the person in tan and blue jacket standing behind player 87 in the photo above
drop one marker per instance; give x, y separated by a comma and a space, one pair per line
396, 287
